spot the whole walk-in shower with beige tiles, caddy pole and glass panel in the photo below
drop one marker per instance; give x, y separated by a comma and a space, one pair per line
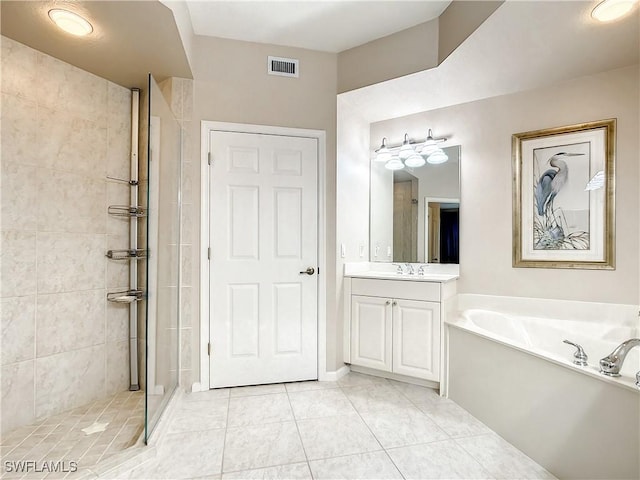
89, 253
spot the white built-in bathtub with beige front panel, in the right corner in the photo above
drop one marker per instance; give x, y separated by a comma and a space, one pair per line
507, 365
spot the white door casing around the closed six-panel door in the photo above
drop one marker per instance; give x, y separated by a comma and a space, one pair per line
320, 135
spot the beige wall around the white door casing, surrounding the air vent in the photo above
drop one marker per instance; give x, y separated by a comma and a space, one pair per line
231, 85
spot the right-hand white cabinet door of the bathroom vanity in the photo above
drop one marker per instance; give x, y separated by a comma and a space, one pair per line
416, 339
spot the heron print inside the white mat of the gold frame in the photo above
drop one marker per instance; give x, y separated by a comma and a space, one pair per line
561, 205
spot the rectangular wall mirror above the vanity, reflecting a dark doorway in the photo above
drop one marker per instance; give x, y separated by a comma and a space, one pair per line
414, 212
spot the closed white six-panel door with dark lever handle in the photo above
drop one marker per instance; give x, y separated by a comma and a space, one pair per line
263, 235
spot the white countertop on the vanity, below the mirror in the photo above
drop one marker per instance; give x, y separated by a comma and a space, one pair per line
433, 272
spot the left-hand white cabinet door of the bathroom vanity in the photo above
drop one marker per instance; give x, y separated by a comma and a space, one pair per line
371, 332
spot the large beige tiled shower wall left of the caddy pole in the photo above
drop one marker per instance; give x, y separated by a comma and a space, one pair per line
63, 132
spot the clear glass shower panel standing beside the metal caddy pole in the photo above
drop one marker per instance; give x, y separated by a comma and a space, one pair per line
163, 259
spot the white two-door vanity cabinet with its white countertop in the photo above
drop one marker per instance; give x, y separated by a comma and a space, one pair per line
394, 321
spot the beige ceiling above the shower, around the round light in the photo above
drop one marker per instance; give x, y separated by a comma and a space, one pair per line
124, 47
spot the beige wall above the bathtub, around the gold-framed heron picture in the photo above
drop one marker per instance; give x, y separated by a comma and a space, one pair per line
483, 129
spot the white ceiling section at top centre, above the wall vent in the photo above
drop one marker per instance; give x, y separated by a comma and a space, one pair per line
330, 26
